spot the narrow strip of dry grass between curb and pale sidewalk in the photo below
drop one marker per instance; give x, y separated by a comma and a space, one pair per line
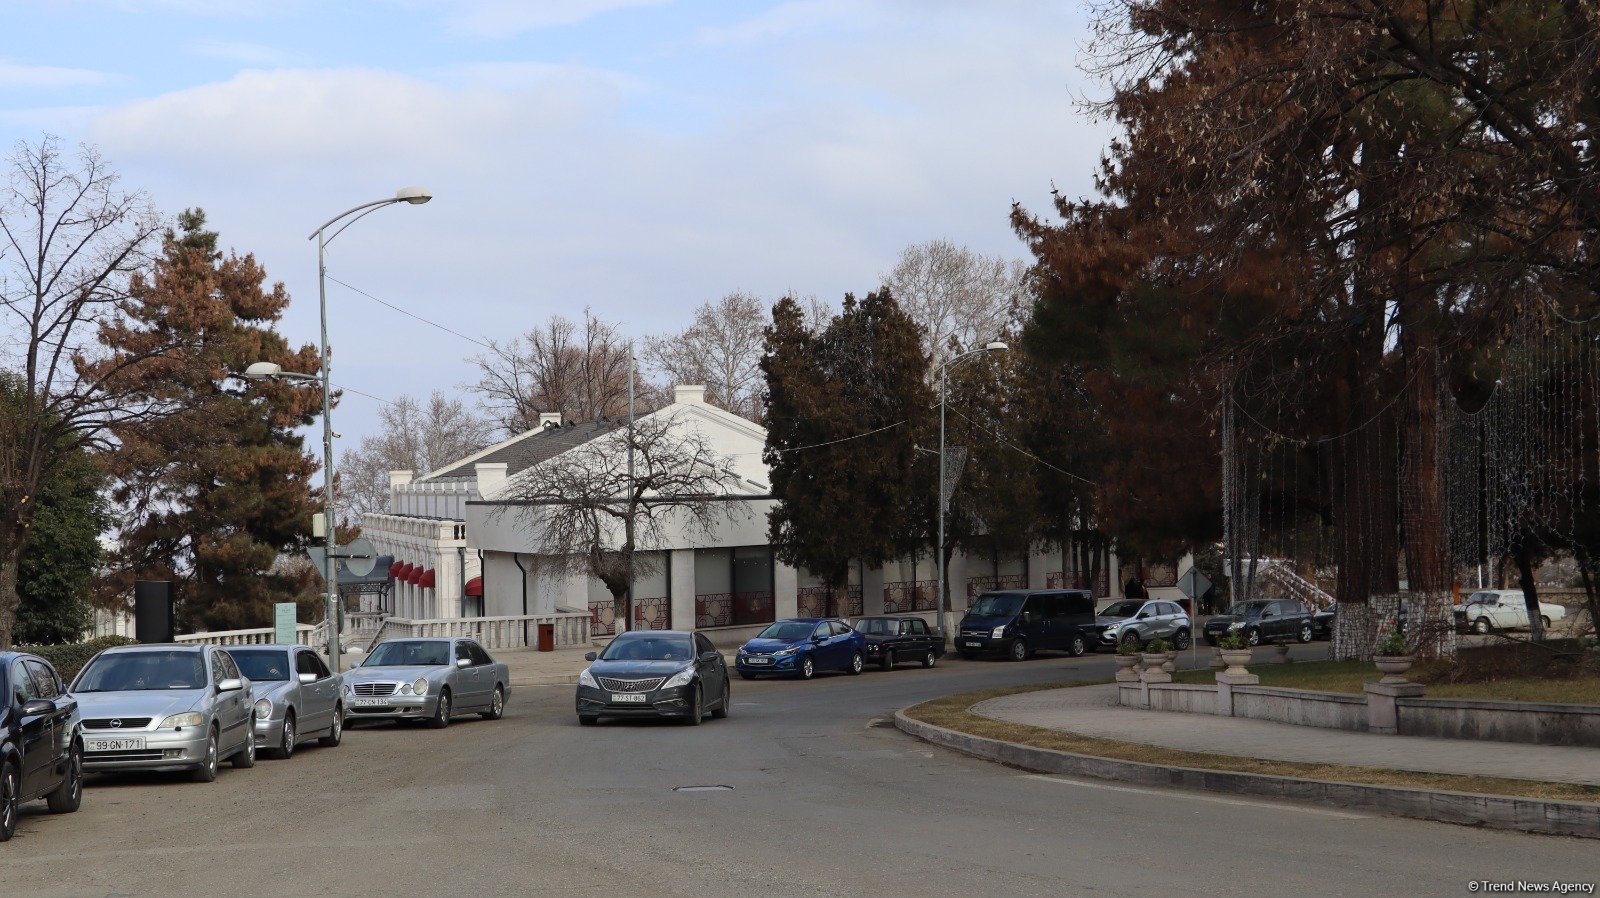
954, 713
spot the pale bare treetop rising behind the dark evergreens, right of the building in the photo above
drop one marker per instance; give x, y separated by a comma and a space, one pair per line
958, 295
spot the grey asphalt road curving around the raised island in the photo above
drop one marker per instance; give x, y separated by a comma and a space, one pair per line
823, 803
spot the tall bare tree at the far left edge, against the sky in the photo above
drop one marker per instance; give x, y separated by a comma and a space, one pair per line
70, 243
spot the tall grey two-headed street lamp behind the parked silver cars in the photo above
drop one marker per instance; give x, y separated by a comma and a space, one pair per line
268, 371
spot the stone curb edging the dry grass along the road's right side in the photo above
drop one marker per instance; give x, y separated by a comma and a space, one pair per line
1471, 809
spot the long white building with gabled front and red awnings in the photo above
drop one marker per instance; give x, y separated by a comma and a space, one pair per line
463, 548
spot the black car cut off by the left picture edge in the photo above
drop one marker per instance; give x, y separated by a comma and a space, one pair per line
41, 740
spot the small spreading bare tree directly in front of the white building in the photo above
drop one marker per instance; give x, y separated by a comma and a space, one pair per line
586, 515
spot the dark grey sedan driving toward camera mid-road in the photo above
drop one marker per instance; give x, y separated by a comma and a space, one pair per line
655, 675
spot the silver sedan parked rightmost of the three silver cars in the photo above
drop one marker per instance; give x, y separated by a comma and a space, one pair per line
426, 680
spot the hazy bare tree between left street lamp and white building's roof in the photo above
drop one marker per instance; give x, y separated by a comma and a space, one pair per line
414, 438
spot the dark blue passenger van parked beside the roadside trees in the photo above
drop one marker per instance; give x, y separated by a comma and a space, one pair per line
1018, 623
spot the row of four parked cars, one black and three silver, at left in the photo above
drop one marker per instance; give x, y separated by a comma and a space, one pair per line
191, 708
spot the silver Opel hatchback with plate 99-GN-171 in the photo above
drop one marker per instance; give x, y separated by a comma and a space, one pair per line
166, 708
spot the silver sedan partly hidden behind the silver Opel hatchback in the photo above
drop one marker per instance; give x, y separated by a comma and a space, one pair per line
297, 697
